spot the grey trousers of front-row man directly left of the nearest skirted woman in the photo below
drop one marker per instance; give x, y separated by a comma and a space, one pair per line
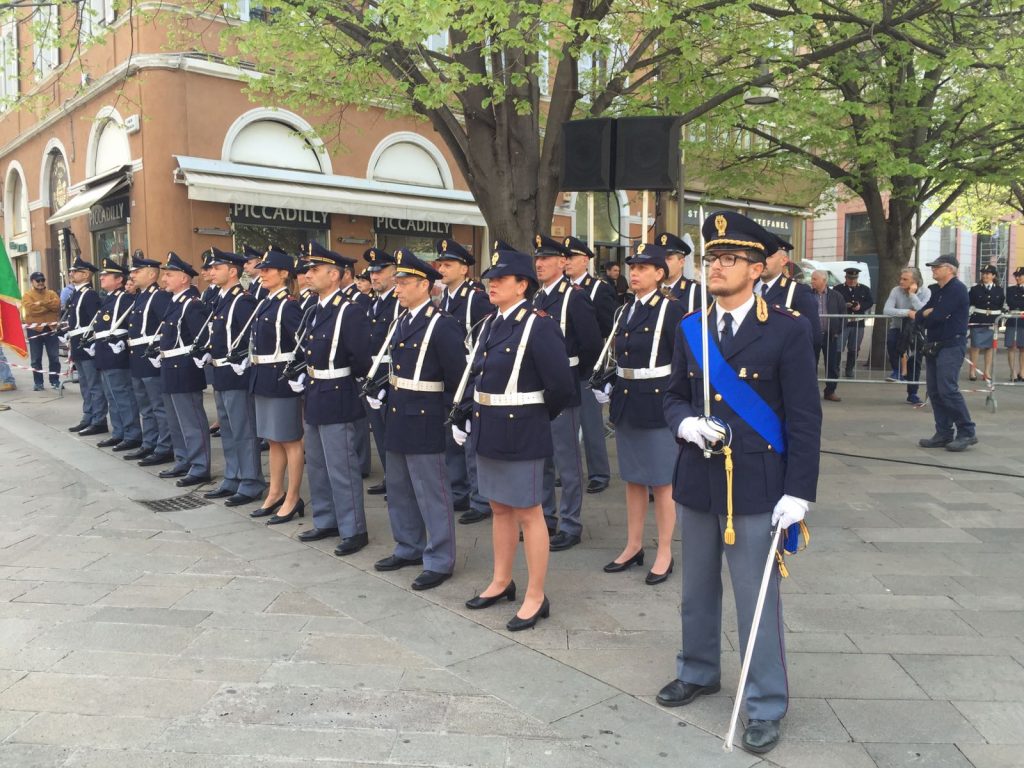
419, 505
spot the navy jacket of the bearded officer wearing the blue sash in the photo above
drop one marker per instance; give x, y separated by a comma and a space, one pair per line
774, 357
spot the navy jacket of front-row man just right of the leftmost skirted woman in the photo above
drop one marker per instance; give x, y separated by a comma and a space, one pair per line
336, 401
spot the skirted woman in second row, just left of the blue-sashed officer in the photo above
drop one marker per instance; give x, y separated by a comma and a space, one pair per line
647, 448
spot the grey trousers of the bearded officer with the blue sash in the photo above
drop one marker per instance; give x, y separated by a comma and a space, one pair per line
767, 694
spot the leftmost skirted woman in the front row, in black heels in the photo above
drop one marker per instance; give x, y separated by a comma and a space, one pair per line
279, 405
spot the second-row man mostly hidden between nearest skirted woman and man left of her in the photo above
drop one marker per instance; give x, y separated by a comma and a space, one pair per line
470, 306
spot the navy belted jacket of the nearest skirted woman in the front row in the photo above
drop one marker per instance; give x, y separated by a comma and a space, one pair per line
521, 433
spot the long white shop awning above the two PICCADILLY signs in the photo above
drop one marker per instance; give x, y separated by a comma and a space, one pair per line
219, 182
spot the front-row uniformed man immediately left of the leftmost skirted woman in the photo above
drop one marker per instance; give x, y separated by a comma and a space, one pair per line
229, 331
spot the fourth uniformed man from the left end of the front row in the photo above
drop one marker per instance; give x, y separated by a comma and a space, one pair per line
182, 374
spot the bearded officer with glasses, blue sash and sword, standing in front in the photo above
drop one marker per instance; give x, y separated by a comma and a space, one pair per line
764, 391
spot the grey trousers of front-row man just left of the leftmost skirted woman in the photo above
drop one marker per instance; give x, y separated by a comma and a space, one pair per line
243, 470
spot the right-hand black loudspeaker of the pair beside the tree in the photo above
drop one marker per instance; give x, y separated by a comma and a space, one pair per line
648, 154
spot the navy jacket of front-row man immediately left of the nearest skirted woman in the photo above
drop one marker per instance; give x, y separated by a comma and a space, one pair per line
415, 422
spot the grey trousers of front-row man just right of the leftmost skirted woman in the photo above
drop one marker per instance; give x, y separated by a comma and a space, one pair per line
335, 486
